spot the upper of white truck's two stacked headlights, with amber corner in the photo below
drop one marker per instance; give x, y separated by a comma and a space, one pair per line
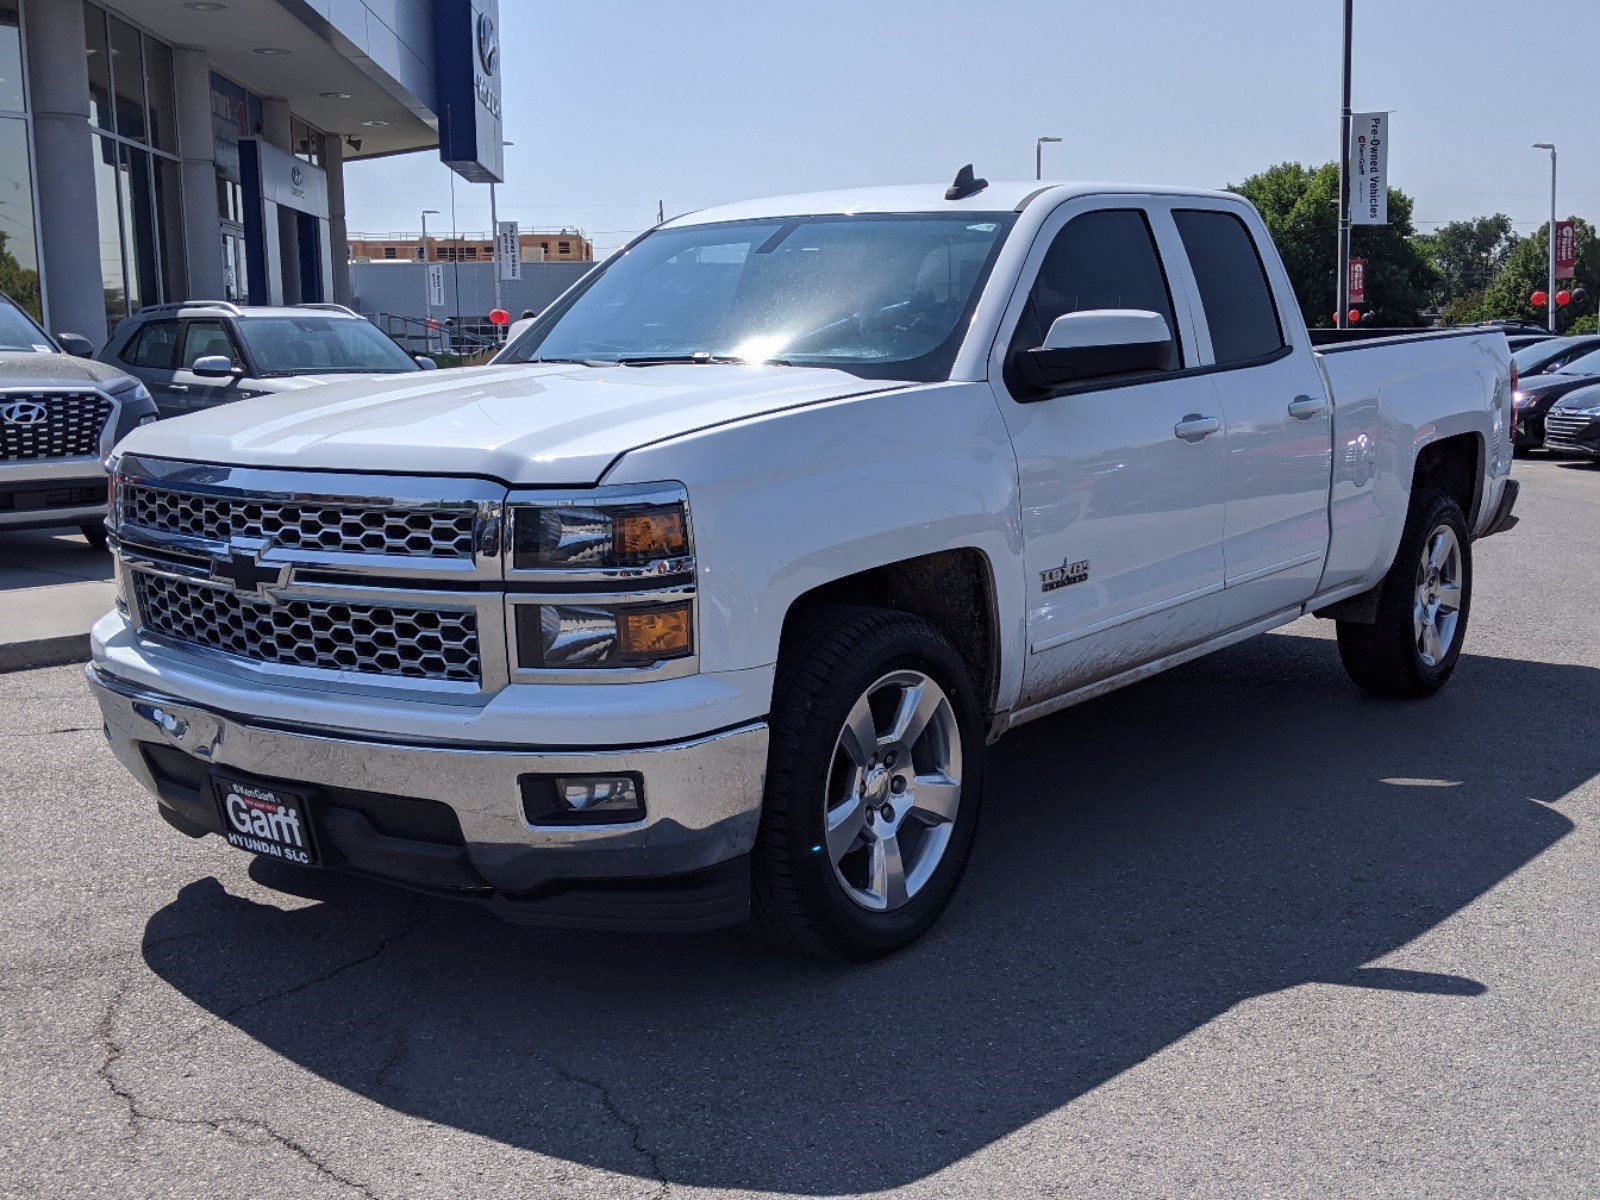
599, 538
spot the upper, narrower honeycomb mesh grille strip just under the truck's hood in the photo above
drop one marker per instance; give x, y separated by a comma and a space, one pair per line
436, 532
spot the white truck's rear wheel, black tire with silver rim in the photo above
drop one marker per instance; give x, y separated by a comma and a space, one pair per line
1415, 644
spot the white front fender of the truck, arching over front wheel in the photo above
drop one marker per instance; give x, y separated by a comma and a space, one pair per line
790, 502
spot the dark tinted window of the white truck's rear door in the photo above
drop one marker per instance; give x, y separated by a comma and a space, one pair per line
1234, 289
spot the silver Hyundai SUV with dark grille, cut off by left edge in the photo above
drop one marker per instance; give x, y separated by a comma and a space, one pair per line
60, 417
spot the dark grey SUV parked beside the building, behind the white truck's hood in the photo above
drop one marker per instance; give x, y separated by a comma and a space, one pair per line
201, 354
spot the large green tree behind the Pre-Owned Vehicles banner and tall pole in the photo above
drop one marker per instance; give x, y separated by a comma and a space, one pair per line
1302, 209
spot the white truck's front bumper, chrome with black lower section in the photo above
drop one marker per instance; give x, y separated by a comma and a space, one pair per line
449, 818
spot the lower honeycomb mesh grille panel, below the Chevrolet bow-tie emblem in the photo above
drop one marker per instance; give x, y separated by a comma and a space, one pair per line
391, 639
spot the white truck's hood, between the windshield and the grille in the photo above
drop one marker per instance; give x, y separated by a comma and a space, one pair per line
526, 425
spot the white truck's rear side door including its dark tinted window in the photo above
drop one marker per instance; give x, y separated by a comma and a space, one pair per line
1276, 407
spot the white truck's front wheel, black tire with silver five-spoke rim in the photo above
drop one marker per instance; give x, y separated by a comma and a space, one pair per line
873, 785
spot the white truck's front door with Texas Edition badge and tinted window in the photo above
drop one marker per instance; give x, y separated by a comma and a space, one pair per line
1121, 481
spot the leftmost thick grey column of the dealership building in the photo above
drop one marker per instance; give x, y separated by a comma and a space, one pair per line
65, 170
